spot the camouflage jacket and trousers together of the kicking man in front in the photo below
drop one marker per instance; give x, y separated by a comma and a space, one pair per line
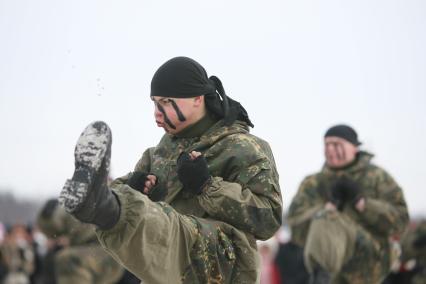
243, 203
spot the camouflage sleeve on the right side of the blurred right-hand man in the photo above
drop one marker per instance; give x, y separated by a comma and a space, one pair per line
387, 213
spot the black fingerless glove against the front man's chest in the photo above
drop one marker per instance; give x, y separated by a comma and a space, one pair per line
193, 174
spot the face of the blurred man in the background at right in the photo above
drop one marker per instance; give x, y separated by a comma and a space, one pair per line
339, 152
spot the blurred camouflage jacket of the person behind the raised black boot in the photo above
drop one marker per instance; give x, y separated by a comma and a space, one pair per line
62, 224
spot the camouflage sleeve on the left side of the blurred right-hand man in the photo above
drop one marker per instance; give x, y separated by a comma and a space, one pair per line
305, 204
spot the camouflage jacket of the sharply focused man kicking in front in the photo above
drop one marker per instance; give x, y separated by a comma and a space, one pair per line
244, 193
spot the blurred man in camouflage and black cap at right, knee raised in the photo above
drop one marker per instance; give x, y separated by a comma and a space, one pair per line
345, 215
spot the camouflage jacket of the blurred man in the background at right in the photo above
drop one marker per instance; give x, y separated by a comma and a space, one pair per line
385, 211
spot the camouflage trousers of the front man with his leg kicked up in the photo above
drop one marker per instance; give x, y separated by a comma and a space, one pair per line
159, 245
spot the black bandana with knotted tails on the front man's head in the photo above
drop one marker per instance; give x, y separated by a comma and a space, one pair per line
183, 77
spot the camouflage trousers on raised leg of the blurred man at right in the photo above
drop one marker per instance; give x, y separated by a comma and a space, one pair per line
340, 246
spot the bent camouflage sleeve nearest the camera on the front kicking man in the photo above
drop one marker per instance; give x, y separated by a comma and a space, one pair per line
251, 200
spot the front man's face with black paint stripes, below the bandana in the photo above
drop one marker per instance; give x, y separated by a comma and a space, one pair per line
173, 114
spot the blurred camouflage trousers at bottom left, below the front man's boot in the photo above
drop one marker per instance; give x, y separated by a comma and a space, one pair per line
86, 265
